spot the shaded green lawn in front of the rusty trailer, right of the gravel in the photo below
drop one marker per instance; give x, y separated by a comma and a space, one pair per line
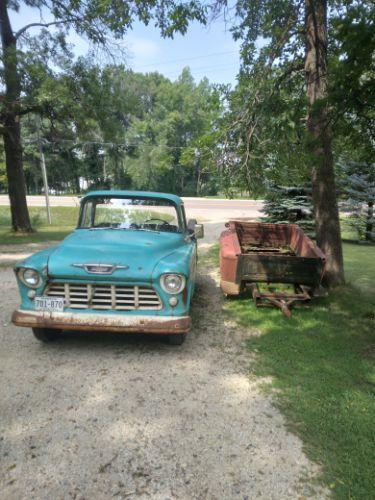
322, 363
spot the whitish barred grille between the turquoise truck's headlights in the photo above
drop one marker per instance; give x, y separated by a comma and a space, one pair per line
120, 297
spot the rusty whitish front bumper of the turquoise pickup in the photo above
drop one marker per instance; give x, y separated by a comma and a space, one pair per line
102, 322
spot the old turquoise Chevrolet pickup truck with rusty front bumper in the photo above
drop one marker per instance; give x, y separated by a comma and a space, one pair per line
129, 266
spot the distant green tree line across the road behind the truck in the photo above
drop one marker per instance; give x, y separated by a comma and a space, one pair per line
110, 127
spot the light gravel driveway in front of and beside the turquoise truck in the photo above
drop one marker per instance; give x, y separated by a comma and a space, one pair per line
97, 416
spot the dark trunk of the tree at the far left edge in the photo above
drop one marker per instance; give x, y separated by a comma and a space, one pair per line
11, 128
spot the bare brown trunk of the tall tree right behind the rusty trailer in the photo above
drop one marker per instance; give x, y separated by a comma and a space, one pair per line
322, 172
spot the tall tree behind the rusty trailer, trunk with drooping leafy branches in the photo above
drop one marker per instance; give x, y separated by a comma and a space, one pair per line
291, 37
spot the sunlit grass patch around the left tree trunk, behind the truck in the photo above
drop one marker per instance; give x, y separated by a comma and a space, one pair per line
64, 219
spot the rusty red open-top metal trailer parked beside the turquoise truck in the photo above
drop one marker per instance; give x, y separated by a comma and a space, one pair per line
253, 253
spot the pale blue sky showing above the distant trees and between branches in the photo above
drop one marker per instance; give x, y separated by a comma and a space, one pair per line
208, 50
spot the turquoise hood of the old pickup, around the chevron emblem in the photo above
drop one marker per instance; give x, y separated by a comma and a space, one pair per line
136, 252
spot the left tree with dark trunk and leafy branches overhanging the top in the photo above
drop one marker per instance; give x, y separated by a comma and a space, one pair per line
97, 21
